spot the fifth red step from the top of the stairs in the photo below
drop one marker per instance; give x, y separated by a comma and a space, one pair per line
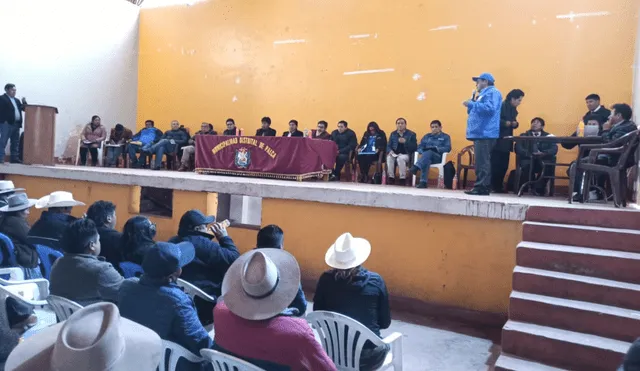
573, 315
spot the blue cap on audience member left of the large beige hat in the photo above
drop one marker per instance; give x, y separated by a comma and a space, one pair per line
166, 258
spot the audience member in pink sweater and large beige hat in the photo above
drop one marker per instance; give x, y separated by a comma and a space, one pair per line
249, 322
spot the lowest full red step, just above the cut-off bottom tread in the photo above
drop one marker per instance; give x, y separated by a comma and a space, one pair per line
561, 348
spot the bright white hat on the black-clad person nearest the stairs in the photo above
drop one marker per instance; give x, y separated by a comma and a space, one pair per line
347, 252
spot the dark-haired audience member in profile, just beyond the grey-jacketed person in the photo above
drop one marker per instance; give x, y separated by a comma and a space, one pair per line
103, 213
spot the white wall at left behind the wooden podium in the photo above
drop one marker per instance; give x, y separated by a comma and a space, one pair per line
78, 55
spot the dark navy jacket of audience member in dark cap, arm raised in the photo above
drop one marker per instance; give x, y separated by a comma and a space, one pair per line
211, 263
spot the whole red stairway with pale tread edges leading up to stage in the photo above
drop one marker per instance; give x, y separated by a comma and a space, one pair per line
575, 303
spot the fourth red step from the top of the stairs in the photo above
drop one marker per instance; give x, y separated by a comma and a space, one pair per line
576, 287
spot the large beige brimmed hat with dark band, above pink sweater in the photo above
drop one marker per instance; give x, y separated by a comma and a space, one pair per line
261, 283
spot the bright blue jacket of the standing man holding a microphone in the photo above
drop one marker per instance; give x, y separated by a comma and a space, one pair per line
484, 115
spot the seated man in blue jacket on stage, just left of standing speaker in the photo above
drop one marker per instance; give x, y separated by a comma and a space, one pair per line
431, 148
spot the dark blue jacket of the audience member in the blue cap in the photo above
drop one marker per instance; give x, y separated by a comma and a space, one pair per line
166, 309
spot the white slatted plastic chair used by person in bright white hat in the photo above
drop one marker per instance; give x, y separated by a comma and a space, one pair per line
346, 356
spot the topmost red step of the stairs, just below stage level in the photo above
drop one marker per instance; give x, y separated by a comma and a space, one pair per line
617, 218
